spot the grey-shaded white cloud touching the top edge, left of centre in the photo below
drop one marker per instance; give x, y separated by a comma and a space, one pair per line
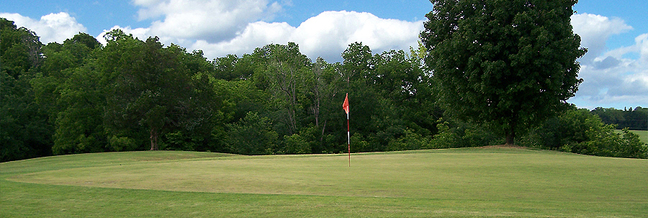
209, 20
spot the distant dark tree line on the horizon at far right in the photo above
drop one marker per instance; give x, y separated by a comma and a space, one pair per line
636, 119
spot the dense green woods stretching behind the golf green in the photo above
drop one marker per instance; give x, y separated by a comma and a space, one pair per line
131, 94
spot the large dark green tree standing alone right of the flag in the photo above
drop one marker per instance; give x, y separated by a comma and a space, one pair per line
511, 64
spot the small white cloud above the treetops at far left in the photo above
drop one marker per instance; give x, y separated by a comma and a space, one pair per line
55, 27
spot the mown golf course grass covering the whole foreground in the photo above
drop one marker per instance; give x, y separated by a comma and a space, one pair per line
472, 182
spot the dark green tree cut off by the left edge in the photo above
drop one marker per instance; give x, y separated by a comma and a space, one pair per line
24, 130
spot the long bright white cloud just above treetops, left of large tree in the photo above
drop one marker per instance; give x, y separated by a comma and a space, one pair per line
326, 35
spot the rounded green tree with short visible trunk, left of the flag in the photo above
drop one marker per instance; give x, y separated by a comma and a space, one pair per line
151, 87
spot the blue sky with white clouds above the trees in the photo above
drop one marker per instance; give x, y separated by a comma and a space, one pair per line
615, 69
